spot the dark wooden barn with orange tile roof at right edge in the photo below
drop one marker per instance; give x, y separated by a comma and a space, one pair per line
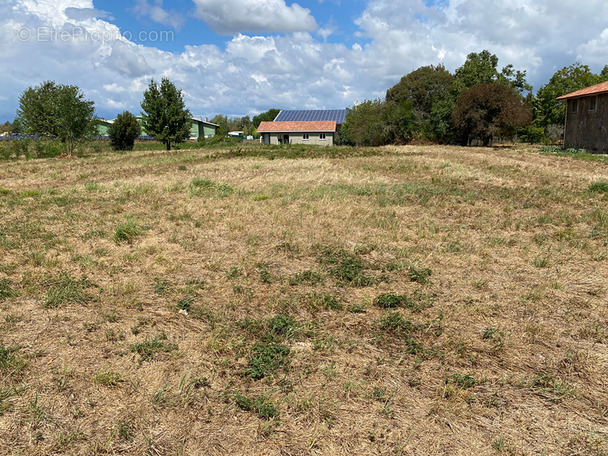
587, 118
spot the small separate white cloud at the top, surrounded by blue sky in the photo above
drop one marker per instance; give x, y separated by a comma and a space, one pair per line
231, 17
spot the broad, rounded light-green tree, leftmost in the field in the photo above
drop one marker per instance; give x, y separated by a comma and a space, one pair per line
57, 111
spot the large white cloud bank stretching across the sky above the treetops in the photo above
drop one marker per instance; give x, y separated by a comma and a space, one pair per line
296, 70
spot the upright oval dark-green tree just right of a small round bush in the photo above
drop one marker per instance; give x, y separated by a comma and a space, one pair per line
164, 113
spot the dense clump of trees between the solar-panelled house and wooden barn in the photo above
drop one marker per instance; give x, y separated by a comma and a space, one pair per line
475, 104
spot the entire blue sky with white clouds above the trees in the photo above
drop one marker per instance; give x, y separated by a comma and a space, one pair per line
243, 57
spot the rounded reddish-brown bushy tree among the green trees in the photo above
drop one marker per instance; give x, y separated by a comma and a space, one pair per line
488, 110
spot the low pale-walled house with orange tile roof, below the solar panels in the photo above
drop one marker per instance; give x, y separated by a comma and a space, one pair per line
319, 133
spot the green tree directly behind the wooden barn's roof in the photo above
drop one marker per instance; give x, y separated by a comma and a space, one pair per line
547, 109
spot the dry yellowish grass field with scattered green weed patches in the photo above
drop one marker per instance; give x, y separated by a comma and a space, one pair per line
251, 301
